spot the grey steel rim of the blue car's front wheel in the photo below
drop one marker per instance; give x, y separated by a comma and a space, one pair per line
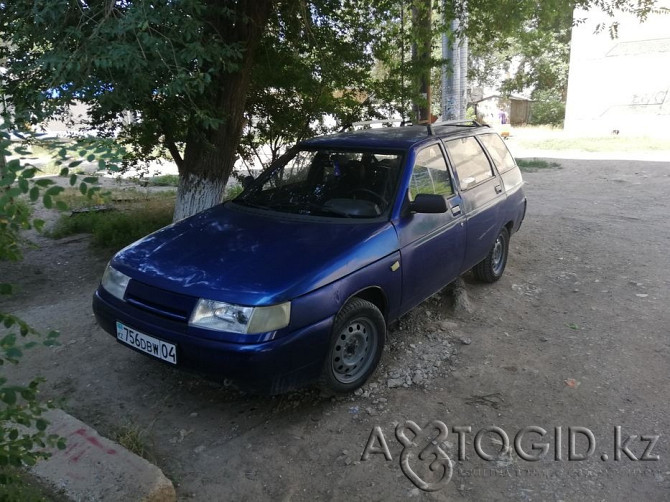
354, 350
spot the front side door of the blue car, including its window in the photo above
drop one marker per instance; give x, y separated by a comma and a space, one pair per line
431, 245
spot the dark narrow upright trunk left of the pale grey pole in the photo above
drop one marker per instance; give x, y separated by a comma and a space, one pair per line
421, 56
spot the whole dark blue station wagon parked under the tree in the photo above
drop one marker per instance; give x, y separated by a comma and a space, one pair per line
296, 279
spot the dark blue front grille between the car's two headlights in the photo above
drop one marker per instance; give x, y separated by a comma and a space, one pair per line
160, 302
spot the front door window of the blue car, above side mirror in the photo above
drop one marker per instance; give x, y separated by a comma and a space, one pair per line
430, 174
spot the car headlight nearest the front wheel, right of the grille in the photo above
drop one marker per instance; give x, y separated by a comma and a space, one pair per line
223, 316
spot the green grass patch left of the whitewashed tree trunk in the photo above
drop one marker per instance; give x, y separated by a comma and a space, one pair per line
129, 215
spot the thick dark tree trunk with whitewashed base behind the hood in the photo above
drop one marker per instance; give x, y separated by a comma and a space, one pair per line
209, 156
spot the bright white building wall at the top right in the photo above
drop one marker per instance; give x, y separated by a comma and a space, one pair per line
620, 84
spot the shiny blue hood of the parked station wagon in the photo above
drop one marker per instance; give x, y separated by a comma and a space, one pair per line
252, 257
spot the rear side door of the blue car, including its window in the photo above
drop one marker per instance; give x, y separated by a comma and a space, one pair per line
482, 192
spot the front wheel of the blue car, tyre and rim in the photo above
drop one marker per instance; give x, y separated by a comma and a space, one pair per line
357, 341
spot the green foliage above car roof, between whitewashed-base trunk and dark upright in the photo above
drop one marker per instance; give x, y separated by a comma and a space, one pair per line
321, 68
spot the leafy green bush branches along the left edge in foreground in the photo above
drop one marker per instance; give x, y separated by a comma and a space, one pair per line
23, 434
